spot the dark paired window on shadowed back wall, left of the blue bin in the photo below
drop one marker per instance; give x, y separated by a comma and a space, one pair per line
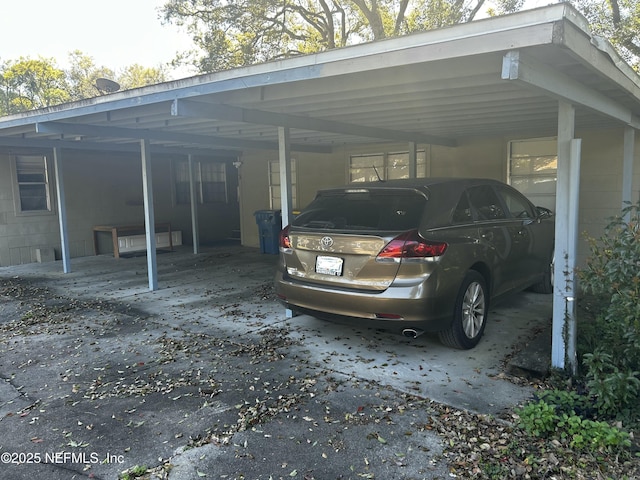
210, 182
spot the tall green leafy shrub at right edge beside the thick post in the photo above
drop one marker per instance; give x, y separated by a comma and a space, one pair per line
610, 351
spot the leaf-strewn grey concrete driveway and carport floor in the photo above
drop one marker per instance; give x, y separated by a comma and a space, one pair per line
95, 364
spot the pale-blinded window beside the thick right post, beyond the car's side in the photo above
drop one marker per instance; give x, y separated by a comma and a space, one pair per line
533, 166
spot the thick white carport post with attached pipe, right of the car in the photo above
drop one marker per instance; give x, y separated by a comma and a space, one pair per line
563, 349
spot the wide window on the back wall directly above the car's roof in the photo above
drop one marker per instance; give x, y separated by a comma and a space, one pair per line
384, 166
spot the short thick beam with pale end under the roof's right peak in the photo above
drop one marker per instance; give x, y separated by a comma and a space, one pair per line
530, 72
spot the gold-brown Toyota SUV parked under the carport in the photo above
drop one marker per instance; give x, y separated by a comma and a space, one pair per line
415, 255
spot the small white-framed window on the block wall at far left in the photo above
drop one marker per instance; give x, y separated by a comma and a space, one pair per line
33, 184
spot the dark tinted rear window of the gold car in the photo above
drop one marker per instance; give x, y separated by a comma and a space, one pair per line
363, 210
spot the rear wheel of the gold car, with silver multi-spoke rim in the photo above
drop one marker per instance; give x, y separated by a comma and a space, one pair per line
469, 315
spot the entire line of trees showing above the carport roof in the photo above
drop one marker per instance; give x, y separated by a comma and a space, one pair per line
243, 32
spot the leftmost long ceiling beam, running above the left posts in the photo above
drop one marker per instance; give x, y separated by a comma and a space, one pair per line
165, 136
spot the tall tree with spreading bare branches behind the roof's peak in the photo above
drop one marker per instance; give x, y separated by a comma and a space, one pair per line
231, 34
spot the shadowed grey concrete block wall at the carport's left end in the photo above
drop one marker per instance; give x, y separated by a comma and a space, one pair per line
103, 189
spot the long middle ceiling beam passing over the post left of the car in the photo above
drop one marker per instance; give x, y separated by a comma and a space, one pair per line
218, 111
